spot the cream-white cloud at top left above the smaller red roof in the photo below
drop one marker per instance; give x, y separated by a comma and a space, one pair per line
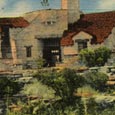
17, 9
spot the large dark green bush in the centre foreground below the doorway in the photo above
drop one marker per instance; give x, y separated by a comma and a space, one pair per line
64, 82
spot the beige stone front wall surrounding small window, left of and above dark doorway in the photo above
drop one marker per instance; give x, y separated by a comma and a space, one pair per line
43, 24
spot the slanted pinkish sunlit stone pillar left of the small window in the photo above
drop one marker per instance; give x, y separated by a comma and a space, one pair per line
14, 51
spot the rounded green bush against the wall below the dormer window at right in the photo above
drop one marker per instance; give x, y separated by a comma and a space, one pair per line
97, 57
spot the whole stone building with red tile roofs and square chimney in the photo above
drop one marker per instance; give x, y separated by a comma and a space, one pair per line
53, 34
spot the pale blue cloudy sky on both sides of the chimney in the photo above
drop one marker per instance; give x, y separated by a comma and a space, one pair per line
18, 7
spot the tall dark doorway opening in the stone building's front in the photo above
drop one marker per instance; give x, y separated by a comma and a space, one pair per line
51, 51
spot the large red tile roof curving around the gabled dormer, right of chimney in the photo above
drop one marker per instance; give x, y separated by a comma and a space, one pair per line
99, 25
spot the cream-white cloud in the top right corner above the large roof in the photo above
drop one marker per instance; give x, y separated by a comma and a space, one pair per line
106, 5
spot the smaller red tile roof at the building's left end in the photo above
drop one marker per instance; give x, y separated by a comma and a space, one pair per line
14, 22
